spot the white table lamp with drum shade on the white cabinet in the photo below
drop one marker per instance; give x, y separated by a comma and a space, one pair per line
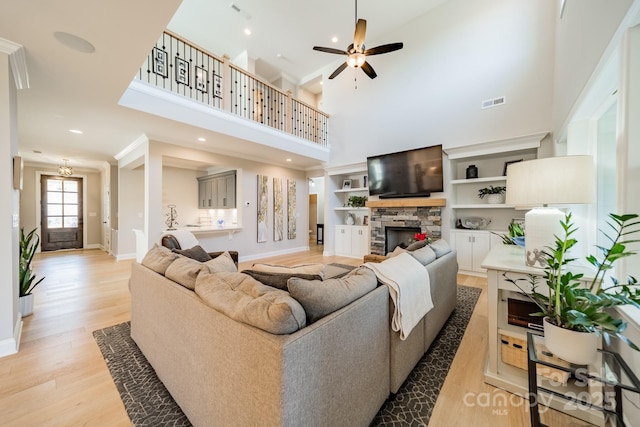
543, 182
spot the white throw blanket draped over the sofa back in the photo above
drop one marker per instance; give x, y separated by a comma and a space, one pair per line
409, 287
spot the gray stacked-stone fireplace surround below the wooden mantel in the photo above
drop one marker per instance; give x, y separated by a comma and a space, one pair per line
403, 220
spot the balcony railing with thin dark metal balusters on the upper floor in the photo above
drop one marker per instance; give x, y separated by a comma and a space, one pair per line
188, 70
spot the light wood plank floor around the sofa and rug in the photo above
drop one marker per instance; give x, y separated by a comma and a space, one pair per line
59, 378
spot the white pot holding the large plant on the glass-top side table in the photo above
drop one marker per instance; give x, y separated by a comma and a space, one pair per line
576, 347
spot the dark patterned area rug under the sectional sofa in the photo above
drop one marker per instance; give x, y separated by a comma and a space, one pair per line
148, 403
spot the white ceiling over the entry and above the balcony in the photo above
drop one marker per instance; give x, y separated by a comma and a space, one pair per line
74, 90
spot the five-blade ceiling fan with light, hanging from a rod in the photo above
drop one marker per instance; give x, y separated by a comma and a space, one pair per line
356, 52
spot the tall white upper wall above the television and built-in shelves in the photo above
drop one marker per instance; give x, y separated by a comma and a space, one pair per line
430, 92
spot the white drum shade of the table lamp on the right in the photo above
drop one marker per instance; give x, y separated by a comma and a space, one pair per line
551, 181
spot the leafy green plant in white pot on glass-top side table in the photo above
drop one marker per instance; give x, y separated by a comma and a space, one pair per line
576, 316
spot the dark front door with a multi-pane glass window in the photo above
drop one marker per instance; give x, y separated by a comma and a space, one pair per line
61, 213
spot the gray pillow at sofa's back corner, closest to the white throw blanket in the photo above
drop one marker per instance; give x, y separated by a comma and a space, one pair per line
320, 298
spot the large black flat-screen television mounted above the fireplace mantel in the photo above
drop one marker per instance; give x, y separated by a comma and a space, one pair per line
411, 173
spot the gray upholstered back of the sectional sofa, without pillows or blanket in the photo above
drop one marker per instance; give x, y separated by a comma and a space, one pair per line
337, 371
